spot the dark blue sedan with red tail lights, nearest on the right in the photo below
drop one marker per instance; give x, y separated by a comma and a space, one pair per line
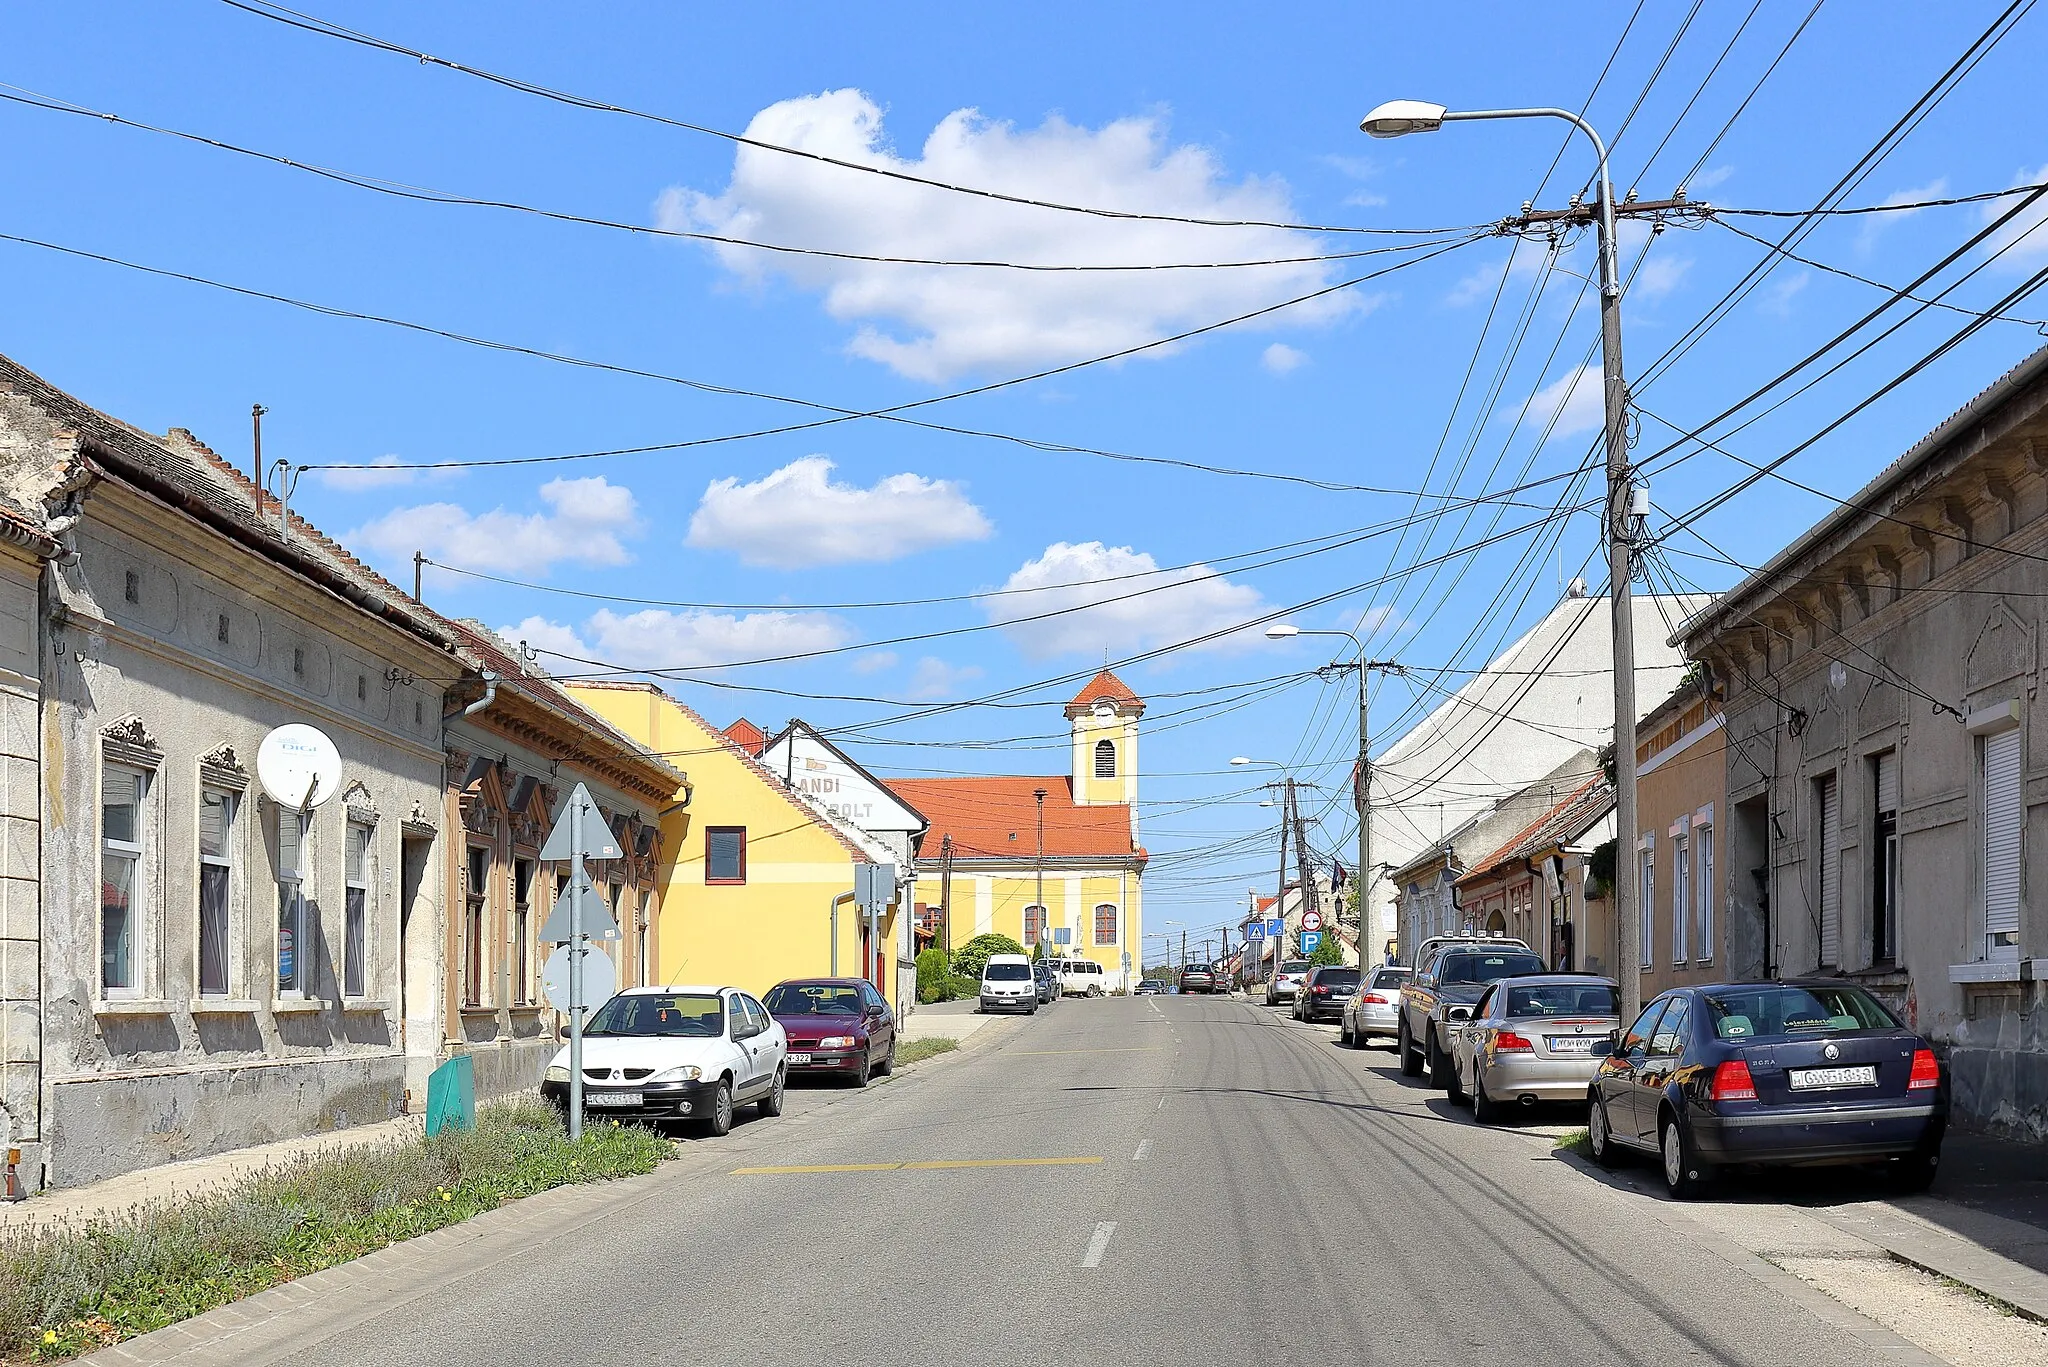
1770, 1073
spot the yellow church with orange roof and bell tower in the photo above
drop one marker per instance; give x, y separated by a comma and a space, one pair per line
1046, 858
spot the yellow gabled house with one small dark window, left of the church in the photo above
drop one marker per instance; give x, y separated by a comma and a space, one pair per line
757, 882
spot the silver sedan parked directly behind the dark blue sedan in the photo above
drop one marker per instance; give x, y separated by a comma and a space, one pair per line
1537, 1038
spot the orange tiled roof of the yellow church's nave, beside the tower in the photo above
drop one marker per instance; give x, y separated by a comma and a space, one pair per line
998, 819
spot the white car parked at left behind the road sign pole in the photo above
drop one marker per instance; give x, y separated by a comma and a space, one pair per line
693, 1054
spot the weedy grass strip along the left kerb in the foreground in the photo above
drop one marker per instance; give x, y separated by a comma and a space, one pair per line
69, 1292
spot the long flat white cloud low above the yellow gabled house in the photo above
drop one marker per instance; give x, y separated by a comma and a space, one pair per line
656, 638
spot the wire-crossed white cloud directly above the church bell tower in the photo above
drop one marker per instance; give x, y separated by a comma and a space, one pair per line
1082, 614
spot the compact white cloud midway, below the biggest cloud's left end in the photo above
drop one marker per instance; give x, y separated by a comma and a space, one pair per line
798, 517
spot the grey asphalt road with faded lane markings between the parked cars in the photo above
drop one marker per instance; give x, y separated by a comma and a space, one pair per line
1111, 1182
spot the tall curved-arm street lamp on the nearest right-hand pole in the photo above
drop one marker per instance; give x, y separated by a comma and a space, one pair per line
1396, 120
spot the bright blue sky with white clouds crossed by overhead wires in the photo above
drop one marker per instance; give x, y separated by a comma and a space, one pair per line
1205, 112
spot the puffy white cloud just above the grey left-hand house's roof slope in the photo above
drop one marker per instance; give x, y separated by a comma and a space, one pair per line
583, 524
